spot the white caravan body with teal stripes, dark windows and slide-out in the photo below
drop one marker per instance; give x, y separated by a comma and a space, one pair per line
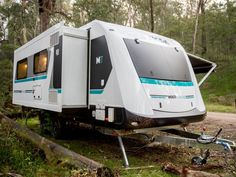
113, 75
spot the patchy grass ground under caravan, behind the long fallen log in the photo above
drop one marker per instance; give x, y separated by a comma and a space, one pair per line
105, 149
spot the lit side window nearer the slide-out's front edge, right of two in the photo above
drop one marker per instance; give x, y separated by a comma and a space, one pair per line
40, 62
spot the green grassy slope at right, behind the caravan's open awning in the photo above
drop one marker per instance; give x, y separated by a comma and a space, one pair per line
219, 91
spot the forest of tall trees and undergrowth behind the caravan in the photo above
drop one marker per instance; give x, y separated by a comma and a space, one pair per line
206, 28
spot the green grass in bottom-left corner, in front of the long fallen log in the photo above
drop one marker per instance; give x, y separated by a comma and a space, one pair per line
21, 157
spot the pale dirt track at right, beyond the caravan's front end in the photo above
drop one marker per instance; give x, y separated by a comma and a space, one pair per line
214, 121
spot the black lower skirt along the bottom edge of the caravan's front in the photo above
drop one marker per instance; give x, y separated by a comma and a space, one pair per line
123, 119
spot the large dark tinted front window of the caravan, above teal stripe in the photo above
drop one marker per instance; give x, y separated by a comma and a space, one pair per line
156, 61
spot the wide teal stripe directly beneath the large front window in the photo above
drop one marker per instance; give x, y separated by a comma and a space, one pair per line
164, 82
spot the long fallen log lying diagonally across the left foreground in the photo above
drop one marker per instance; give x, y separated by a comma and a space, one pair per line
55, 152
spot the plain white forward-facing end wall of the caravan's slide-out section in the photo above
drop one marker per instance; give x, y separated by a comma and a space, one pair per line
74, 71
